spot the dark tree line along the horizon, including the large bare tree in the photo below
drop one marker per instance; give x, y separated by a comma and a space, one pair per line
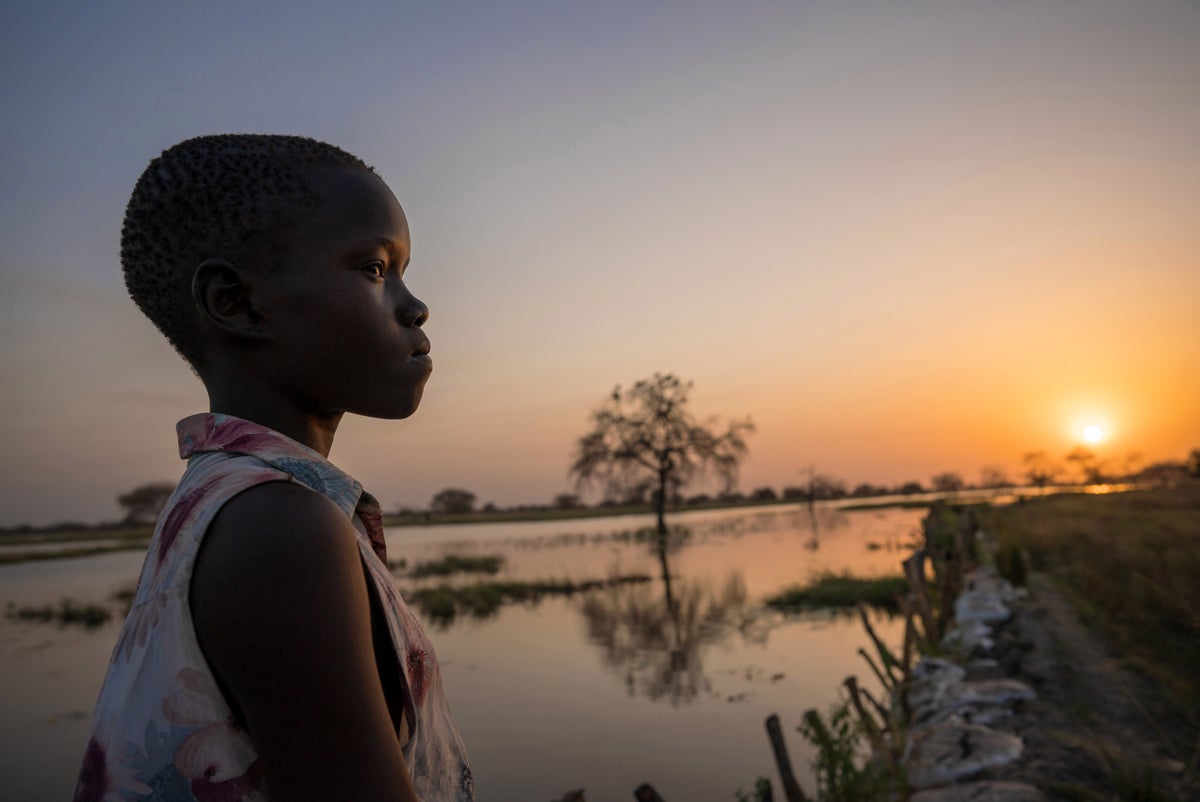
645, 448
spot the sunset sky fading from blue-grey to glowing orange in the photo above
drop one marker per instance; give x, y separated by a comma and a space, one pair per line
904, 238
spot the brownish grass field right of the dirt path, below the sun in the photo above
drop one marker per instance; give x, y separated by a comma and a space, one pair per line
1131, 564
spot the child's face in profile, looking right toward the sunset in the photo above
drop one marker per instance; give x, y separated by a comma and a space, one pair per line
345, 331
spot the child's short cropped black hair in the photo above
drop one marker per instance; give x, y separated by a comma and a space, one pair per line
212, 196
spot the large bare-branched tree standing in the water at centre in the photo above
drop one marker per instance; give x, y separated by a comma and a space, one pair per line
647, 434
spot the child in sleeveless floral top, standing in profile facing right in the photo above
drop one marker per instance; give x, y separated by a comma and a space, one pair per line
268, 655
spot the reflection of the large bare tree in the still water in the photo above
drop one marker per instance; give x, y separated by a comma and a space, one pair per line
657, 636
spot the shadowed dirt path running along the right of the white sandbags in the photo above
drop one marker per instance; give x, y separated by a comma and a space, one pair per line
1097, 732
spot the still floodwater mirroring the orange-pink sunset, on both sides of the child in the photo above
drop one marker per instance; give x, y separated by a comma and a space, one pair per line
667, 681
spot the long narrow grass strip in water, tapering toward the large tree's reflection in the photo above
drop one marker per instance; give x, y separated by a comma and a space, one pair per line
446, 603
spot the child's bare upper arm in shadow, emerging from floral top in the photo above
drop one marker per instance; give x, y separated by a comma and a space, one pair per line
281, 609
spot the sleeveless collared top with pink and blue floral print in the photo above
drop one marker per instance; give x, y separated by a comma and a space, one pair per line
163, 731
